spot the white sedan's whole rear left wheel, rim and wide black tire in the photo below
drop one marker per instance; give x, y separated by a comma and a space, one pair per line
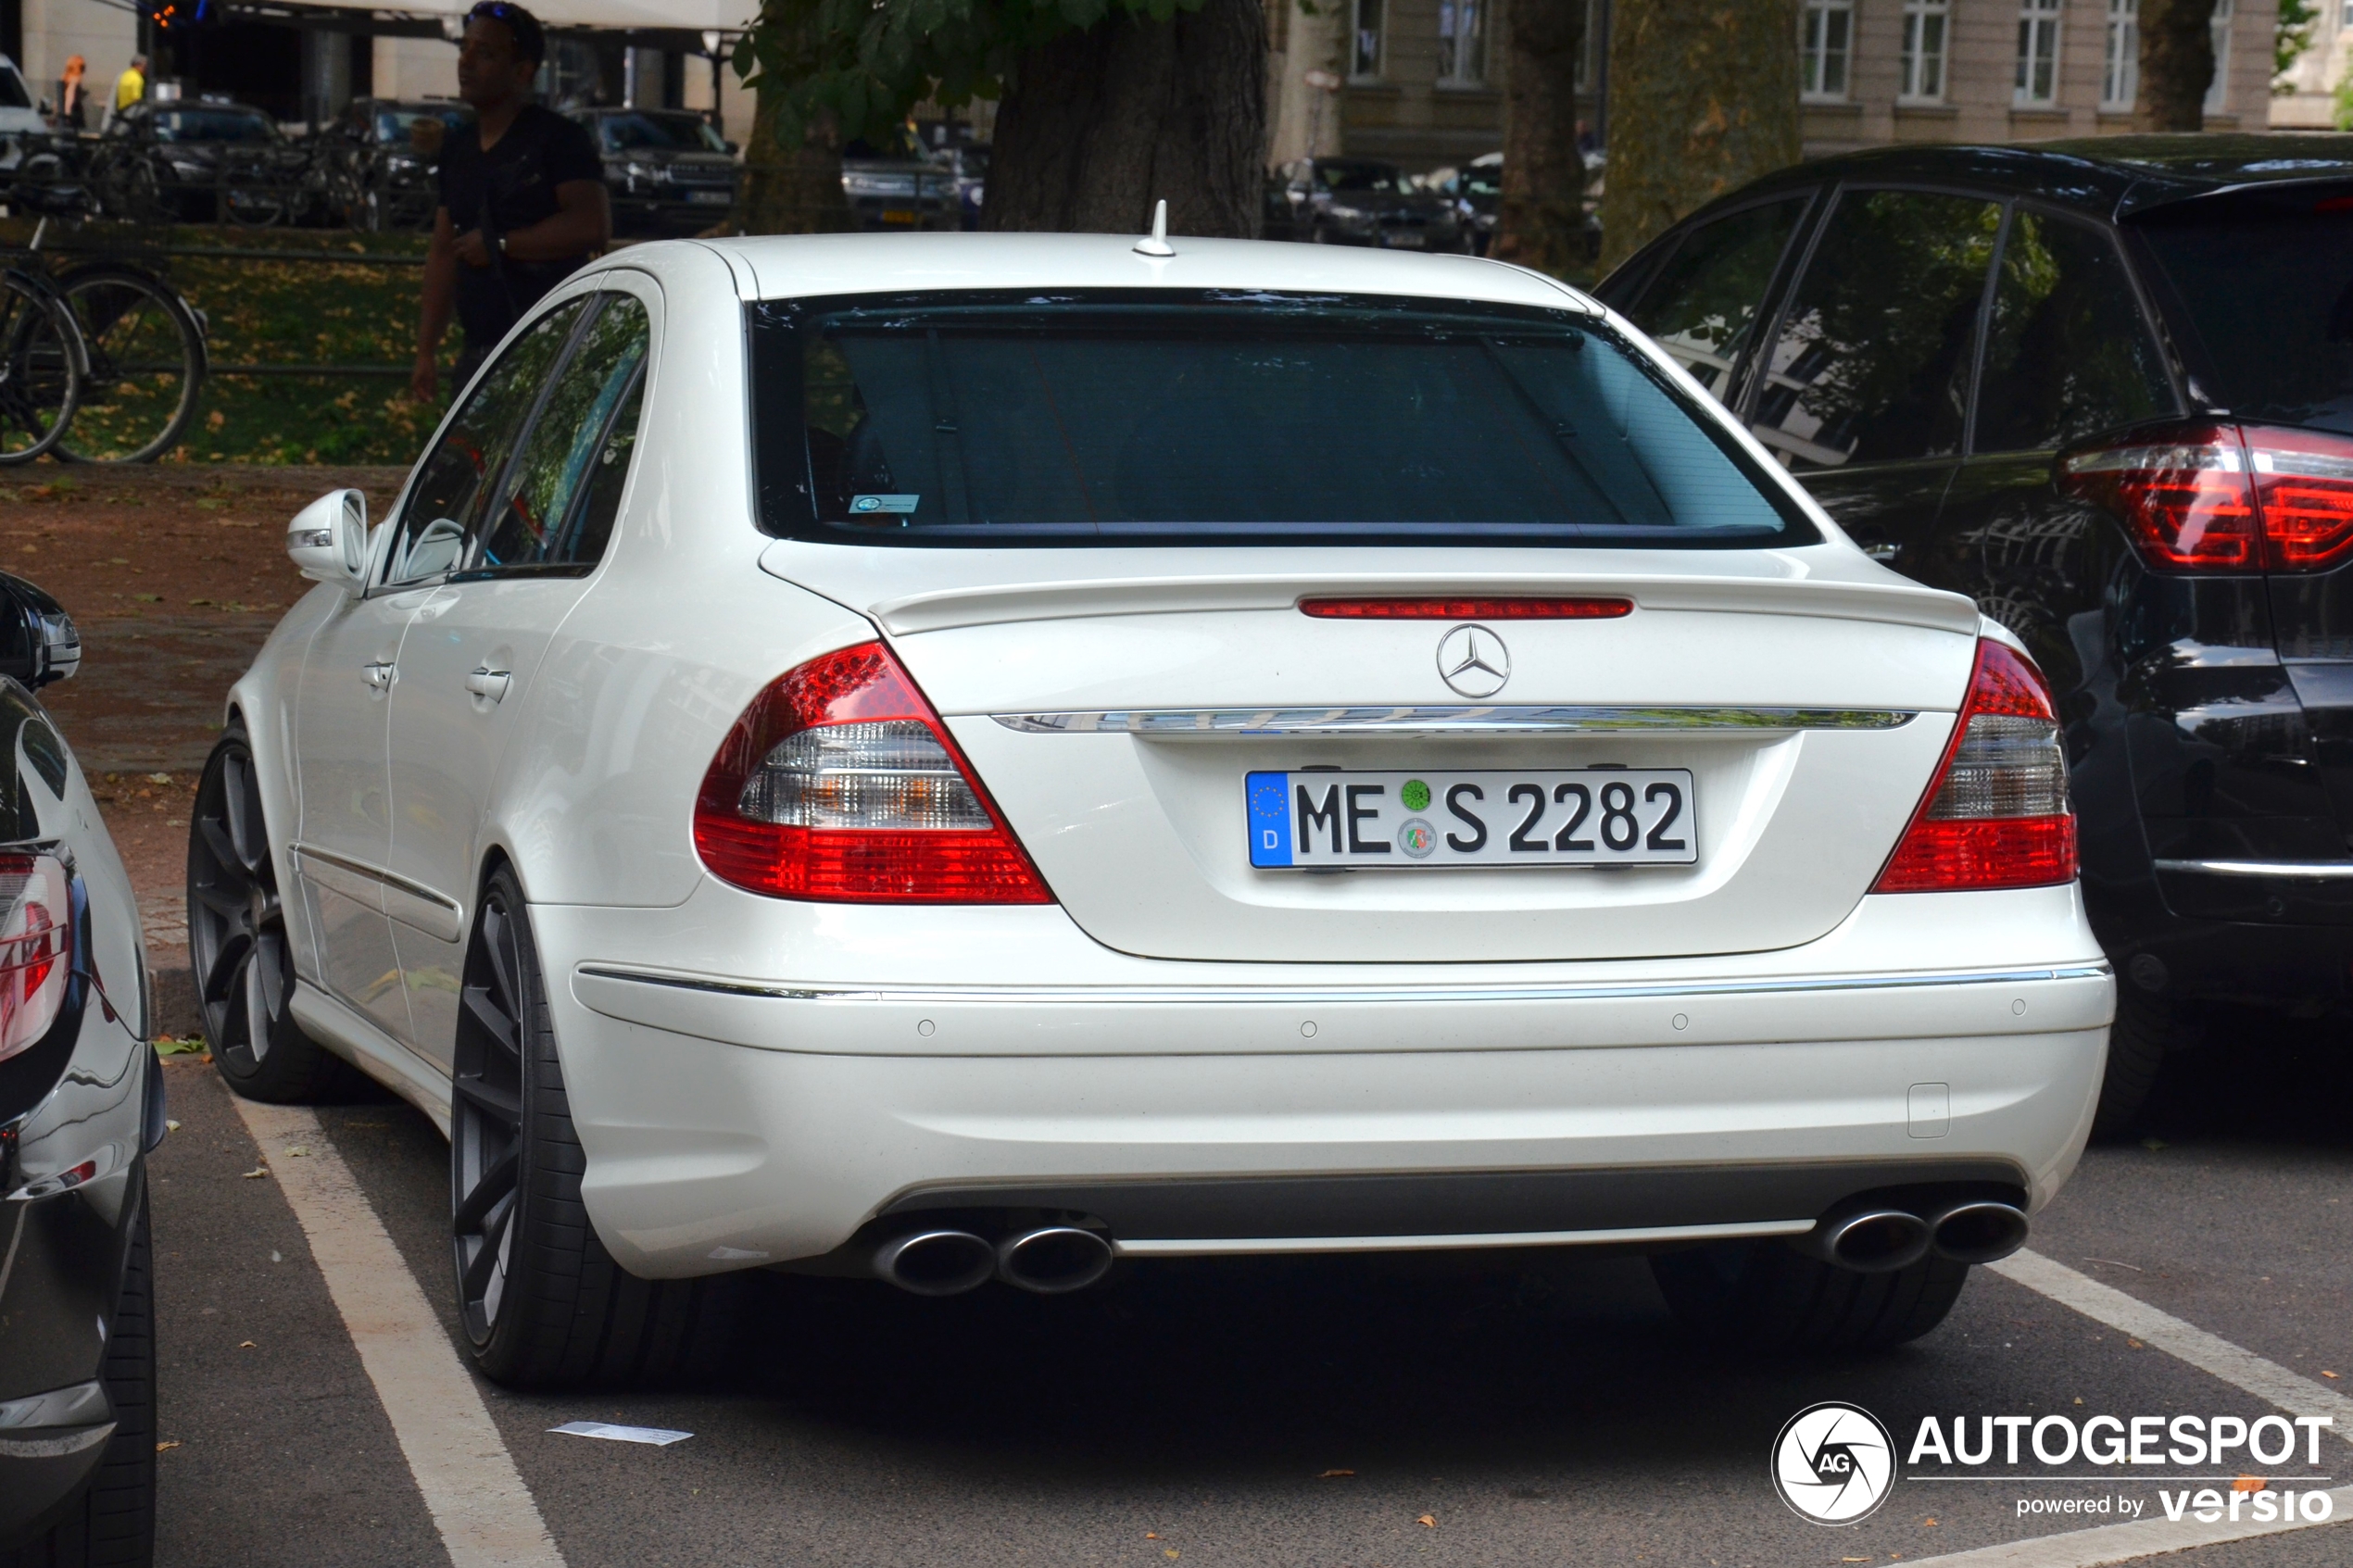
540, 1299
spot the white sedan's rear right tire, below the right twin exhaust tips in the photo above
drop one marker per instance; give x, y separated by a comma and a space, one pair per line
1768, 1296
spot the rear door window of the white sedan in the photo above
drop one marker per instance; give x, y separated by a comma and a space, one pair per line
556, 504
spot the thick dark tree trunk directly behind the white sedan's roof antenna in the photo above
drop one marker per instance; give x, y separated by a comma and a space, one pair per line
1100, 126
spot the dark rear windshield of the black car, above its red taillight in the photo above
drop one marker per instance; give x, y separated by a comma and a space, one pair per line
2265, 283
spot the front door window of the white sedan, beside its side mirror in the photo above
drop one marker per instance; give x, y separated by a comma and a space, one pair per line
453, 485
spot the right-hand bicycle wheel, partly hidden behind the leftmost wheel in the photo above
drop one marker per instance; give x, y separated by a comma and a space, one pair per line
145, 366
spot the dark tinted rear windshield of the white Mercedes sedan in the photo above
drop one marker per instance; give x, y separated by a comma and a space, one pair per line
1234, 420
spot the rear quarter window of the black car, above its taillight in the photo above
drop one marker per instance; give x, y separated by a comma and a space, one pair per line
2067, 347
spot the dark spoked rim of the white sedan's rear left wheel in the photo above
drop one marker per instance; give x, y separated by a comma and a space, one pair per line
486, 1118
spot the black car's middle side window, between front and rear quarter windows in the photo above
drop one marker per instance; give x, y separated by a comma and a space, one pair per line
1872, 363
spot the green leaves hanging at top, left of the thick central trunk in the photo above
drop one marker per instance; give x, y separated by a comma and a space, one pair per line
865, 65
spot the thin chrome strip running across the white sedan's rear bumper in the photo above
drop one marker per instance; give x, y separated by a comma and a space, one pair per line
1135, 996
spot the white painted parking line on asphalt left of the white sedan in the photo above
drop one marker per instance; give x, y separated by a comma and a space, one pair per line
469, 1482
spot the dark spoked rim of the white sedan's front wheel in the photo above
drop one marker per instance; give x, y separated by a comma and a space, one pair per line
236, 930
